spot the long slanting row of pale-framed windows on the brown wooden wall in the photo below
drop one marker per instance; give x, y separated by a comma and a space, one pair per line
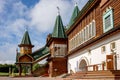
88, 32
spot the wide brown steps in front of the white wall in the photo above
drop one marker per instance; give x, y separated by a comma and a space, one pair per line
95, 75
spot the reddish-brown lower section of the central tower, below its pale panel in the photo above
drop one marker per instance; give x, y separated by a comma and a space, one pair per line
57, 66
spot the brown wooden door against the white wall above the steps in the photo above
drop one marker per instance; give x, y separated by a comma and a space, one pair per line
110, 62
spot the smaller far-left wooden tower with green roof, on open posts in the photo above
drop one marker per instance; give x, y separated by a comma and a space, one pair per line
24, 57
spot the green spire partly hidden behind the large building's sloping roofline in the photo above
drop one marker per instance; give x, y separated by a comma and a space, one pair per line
74, 15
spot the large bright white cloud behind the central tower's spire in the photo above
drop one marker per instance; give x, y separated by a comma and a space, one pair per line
44, 13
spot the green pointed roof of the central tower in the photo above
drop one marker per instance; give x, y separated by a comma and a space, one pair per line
59, 31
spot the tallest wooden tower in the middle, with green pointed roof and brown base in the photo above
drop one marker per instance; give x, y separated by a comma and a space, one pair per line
57, 43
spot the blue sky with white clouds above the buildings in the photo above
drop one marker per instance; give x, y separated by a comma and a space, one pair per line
38, 16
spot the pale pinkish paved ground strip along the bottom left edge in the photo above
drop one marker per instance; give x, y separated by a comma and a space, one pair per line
29, 78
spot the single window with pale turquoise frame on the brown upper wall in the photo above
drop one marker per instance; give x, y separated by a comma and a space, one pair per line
108, 20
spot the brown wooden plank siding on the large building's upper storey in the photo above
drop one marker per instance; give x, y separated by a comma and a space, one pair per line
96, 13
